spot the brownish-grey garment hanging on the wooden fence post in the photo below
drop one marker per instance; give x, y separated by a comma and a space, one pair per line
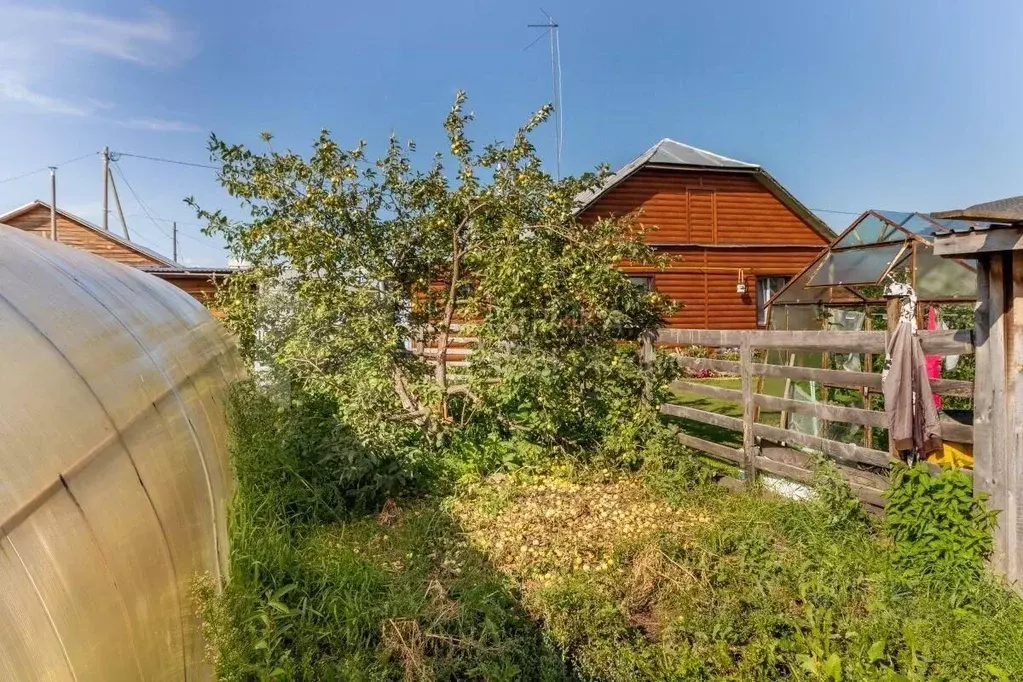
913, 419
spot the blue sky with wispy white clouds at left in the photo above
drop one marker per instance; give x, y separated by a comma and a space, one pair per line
906, 105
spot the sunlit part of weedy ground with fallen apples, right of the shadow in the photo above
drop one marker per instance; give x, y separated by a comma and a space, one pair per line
708, 585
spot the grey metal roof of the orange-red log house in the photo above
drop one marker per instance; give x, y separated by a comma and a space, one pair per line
671, 154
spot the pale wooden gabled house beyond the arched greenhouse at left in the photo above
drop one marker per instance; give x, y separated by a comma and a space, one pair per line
75, 232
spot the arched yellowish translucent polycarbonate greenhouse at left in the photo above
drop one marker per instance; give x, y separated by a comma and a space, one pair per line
114, 473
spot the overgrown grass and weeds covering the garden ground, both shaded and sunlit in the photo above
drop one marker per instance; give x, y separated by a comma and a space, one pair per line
571, 574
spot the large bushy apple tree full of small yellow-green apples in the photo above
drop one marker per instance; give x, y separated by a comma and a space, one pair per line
353, 262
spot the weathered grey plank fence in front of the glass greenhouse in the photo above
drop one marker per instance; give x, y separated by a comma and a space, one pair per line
780, 450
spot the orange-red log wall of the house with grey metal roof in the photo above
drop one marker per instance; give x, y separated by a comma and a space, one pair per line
715, 224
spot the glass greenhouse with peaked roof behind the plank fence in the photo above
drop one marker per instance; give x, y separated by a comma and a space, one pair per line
843, 290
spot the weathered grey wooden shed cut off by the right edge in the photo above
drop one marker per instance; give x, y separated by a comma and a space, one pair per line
998, 246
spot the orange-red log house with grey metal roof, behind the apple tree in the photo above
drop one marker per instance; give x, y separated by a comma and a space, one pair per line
737, 235
